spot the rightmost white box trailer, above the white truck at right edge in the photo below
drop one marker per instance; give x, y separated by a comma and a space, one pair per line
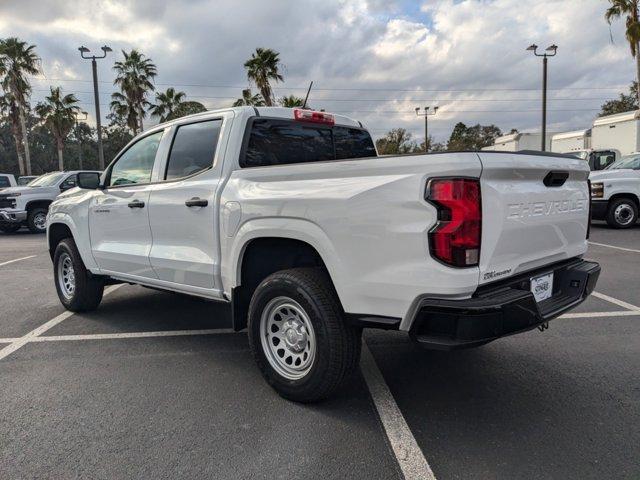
620, 132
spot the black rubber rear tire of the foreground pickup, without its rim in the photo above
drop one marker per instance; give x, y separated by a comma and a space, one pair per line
338, 344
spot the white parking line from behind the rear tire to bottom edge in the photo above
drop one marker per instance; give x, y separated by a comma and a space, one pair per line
405, 448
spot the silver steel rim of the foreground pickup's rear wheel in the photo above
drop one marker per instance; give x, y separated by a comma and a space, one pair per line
287, 337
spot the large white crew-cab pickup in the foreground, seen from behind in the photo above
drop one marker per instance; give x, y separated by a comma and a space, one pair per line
290, 218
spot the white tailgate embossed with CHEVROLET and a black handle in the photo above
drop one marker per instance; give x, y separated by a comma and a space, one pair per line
527, 222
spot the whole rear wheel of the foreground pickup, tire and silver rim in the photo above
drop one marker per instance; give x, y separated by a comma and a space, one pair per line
299, 337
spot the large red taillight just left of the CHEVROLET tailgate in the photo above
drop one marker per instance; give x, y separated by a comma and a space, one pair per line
455, 239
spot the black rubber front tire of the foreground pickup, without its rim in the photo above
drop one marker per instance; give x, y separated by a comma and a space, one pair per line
88, 289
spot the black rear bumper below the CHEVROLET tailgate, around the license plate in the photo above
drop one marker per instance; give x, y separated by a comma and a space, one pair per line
501, 309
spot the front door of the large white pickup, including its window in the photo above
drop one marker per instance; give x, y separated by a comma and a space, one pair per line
119, 214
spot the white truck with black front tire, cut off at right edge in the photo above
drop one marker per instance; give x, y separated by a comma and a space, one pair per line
615, 192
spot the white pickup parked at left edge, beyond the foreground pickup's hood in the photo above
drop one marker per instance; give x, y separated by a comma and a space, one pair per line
28, 204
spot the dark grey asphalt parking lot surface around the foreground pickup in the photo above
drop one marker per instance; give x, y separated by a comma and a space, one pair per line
154, 385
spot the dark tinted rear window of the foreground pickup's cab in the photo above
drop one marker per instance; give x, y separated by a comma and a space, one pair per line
281, 142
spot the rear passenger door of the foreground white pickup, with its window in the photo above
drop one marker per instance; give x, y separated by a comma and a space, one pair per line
182, 212
